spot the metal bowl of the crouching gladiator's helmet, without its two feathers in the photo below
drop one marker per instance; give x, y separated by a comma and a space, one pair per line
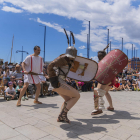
71, 52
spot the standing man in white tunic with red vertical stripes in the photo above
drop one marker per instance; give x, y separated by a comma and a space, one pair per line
32, 63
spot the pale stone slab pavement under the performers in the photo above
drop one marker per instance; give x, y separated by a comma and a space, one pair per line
39, 121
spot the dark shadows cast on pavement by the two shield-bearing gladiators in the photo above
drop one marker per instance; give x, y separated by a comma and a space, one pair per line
88, 124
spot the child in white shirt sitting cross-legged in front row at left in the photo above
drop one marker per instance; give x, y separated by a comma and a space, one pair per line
10, 92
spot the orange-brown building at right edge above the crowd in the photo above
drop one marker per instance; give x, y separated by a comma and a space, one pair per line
134, 63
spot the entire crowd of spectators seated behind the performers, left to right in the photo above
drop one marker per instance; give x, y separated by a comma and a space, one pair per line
11, 82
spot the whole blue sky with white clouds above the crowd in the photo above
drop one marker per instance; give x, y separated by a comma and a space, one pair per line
22, 18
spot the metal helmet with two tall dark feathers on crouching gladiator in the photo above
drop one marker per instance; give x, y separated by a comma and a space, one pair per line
71, 51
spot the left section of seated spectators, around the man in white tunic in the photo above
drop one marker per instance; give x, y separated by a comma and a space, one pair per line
11, 82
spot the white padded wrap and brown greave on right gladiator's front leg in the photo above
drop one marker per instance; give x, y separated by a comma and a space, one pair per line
98, 99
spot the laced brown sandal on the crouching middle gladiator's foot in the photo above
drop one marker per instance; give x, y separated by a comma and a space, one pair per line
63, 115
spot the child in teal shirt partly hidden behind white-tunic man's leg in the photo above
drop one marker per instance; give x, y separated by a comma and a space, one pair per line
18, 89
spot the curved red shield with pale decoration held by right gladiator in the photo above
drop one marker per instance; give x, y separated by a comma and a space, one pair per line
112, 64
